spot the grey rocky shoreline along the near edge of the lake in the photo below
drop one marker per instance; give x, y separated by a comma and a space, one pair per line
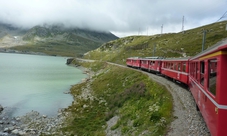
34, 123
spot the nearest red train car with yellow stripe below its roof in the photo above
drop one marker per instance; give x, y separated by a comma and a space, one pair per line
208, 84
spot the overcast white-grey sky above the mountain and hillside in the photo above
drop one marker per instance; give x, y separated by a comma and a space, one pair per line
122, 17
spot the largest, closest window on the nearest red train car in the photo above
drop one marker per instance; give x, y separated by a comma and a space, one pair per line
212, 75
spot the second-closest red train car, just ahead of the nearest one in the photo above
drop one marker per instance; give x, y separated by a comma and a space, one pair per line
176, 68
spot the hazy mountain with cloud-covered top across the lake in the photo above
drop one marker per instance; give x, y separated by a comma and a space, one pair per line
52, 39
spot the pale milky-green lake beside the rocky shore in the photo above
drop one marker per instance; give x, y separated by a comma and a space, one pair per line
32, 82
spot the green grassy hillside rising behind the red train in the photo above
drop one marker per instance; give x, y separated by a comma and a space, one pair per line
179, 44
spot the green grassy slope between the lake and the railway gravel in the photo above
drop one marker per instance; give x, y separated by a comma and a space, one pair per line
142, 105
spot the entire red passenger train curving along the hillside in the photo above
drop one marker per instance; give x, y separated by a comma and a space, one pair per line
205, 75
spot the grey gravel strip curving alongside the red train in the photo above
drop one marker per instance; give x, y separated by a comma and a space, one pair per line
188, 121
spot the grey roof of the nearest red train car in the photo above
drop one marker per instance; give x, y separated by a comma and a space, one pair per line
218, 46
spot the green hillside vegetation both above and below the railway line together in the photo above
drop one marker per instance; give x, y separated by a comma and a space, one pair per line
128, 98
